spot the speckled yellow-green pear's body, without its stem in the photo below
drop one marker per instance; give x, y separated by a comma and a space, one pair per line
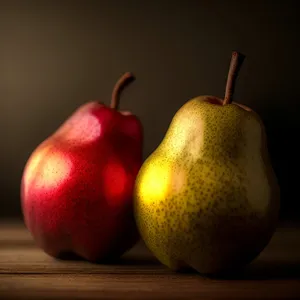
207, 197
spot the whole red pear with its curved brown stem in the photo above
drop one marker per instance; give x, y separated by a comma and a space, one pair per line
77, 186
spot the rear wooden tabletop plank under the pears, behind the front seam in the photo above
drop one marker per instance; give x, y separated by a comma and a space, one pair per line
20, 255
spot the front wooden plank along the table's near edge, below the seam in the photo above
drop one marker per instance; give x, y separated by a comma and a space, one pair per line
111, 286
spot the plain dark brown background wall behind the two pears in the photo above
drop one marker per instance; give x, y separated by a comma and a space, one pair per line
56, 55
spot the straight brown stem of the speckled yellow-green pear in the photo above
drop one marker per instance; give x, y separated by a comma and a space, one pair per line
234, 68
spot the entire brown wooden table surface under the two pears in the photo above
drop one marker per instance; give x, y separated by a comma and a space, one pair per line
26, 272
